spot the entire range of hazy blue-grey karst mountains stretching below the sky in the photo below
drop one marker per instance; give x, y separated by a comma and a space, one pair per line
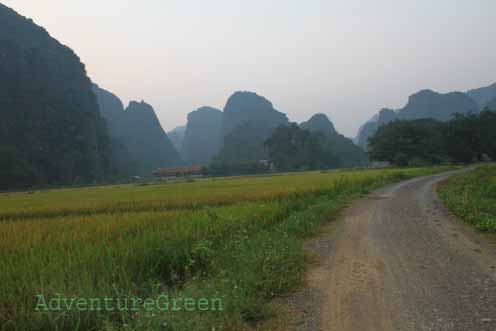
60, 128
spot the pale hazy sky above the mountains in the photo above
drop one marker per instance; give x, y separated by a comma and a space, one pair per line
345, 58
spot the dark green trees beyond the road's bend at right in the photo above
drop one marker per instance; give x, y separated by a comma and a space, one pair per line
463, 139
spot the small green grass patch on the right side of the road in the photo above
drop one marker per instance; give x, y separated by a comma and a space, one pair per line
472, 196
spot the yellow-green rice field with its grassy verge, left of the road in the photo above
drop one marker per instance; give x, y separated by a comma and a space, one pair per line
244, 252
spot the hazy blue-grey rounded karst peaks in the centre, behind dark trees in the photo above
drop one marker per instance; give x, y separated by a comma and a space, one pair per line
239, 133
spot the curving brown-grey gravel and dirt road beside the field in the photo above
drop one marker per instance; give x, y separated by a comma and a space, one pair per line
397, 260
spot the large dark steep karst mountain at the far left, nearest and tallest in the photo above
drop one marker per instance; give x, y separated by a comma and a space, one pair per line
51, 130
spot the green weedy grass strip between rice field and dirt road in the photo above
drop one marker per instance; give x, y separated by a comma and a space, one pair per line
252, 268
